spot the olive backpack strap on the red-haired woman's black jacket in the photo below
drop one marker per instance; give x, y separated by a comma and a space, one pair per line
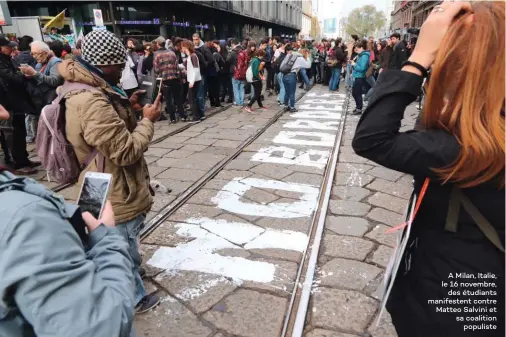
457, 198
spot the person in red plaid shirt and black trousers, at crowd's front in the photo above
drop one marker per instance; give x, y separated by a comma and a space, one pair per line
166, 67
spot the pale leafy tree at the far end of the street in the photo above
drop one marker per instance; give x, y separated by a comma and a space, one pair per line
364, 21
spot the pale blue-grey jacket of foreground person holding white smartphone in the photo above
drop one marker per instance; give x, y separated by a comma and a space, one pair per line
50, 285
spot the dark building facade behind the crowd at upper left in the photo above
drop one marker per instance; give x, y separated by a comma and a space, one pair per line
149, 19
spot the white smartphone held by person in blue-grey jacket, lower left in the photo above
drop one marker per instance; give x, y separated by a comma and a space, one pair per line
94, 192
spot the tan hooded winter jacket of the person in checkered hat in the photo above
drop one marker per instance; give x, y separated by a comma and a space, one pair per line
106, 121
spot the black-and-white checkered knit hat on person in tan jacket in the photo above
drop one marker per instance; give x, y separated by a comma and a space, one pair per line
103, 48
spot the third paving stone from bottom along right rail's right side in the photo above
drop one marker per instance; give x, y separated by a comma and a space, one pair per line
347, 247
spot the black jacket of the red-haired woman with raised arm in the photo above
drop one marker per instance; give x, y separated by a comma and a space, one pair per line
435, 252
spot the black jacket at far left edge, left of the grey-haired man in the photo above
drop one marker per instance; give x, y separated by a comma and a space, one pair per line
17, 99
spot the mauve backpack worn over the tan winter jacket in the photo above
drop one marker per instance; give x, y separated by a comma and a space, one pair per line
54, 150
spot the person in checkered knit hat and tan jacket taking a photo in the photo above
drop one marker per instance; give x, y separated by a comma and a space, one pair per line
102, 119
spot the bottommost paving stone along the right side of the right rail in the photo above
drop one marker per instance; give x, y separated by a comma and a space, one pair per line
342, 310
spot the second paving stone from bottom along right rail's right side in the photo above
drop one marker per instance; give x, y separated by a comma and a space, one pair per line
348, 274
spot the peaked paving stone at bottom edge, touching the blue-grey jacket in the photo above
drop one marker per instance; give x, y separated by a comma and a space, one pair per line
170, 319
